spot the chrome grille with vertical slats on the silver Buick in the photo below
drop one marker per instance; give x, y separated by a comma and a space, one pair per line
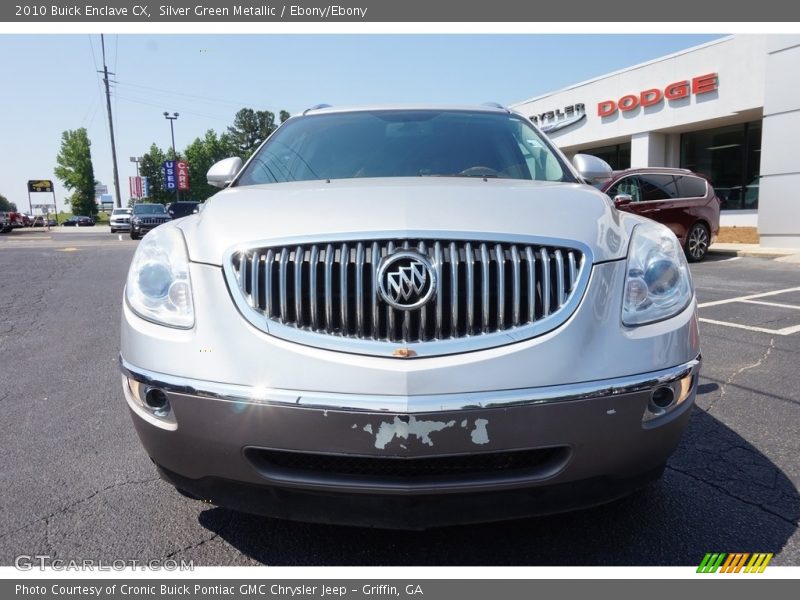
480, 288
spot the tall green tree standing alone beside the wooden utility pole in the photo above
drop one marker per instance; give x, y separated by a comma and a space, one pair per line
74, 169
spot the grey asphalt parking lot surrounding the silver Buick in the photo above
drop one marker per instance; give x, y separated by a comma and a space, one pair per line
77, 484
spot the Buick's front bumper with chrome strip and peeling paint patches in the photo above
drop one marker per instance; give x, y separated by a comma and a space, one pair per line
345, 458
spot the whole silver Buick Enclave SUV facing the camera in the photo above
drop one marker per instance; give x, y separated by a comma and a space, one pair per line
409, 317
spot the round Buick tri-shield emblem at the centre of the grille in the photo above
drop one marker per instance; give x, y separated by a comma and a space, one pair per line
406, 280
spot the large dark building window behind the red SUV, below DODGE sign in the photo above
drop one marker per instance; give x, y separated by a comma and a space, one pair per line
730, 157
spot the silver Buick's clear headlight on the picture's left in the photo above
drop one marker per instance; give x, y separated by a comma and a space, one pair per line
159, 288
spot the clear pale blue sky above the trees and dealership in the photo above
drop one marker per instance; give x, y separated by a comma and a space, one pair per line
50, 83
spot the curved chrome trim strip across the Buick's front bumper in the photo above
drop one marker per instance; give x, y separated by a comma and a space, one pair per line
411, 404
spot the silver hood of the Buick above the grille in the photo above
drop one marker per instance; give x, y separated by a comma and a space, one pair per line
407, 207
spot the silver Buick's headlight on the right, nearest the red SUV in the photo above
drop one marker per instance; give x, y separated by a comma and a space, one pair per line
658, 284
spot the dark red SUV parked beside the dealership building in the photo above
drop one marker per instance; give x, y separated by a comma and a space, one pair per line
683, 201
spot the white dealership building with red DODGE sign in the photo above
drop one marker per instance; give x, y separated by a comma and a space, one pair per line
729, 109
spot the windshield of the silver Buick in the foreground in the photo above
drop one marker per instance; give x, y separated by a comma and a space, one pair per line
411, 143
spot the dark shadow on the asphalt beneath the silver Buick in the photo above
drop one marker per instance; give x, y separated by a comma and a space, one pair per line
718, 493
